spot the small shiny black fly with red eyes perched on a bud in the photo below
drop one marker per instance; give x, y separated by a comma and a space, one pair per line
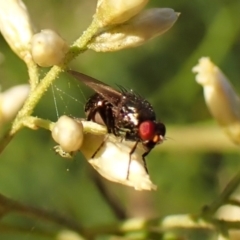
124, 113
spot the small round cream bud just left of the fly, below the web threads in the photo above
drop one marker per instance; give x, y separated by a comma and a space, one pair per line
68, 133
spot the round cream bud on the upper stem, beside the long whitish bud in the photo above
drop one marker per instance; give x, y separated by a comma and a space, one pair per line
48, 48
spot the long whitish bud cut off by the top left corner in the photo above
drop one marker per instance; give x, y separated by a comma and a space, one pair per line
16, 27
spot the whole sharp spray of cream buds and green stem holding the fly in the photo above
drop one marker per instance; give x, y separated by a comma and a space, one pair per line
116, 25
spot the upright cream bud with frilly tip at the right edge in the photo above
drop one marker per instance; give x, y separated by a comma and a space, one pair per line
220, 97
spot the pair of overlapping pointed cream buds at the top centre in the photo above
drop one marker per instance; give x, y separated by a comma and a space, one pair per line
124, 25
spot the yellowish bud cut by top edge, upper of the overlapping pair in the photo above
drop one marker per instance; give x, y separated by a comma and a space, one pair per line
110, 12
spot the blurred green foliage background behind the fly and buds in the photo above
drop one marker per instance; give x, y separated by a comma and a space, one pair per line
160, 70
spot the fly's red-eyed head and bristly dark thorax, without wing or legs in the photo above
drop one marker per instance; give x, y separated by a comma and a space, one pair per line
137, 118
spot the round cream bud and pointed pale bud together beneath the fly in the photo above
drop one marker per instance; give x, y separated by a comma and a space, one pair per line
108, 154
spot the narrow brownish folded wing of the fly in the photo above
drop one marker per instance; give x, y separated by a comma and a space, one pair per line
108, 93
